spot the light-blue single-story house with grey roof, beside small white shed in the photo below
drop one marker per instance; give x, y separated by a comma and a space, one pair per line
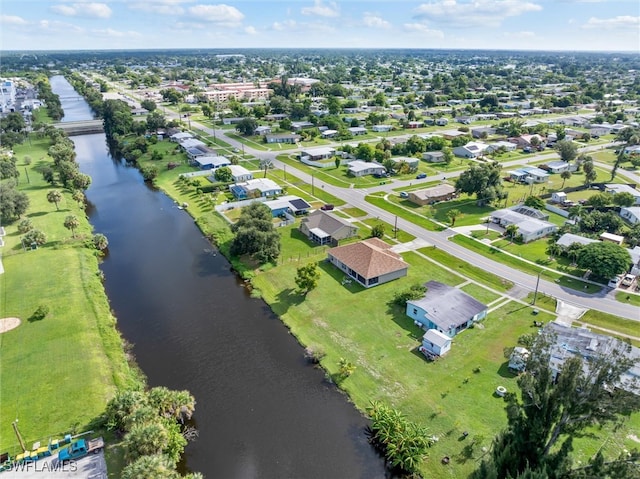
446, 309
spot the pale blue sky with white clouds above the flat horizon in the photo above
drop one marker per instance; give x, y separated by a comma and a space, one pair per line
584, 25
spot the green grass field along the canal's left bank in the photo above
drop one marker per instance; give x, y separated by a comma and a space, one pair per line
57, 373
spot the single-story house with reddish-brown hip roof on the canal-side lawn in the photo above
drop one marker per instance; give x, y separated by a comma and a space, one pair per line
369, 262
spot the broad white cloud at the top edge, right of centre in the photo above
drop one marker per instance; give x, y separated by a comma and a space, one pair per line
487, 13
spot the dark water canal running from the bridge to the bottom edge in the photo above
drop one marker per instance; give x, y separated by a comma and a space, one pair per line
262, 411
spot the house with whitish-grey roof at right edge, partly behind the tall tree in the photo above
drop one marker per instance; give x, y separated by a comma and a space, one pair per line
570, 342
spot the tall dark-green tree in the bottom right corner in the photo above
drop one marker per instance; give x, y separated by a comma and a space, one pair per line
550, 411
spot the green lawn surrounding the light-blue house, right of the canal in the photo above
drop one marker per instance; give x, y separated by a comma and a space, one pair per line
446, 396
